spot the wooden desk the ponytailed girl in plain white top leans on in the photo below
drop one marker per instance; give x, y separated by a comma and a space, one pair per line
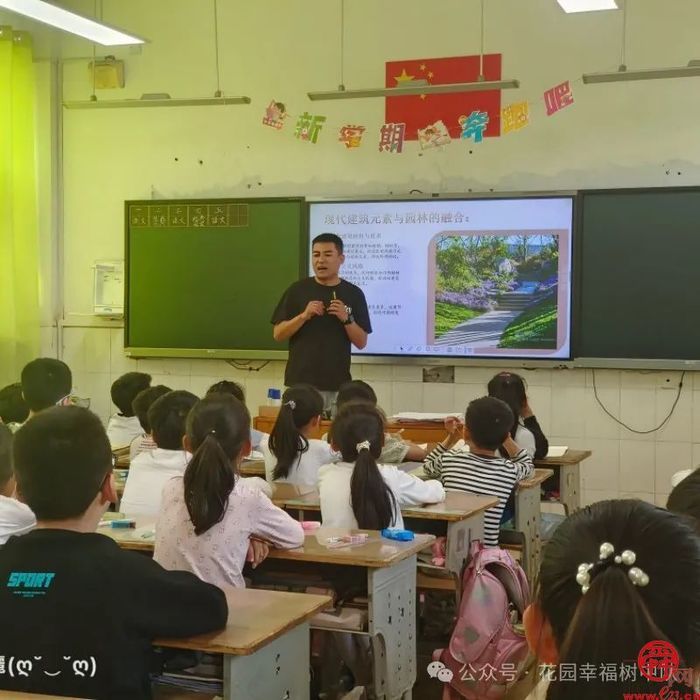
463, 514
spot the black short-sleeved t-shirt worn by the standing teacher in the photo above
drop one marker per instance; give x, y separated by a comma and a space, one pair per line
319, 352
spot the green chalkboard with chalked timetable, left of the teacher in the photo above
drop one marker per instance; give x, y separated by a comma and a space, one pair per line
203, 276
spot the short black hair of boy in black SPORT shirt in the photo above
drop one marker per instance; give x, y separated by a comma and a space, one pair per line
61, 459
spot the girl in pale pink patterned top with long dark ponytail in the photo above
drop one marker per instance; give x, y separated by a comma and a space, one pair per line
209, 515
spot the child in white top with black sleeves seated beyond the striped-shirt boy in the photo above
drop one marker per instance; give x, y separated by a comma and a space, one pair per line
526, 431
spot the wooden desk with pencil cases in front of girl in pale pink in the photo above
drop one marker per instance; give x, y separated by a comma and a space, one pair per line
390, 569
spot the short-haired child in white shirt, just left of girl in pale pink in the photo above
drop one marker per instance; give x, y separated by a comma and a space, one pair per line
149, 471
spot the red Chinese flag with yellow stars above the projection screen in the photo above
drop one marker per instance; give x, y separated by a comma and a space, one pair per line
418, 110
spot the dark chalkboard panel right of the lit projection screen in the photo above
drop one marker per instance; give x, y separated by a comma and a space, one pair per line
639, 275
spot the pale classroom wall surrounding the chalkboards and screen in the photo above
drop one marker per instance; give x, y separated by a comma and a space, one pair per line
635, 134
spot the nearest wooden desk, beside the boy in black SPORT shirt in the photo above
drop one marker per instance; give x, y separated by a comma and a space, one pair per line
265, 643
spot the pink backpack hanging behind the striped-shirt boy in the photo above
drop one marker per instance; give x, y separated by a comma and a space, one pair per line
486, 653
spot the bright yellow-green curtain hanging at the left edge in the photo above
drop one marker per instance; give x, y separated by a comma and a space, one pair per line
19, 246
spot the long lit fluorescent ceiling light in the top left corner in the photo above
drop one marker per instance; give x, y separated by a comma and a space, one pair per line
70, 22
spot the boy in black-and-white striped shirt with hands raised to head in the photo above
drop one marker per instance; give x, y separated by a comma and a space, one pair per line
482, 470
